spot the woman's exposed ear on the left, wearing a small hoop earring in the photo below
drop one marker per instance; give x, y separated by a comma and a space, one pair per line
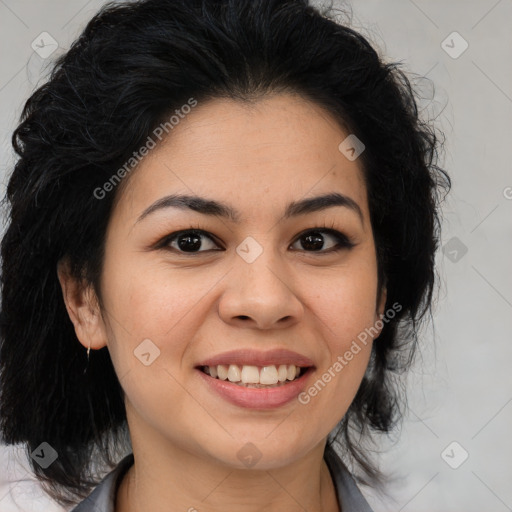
83, 308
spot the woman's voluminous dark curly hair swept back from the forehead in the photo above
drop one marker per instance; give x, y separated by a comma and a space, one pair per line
133, 65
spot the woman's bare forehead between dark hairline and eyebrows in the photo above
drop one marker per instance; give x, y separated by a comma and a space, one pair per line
255, 155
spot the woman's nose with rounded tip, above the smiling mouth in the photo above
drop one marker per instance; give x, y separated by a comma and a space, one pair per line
260, 295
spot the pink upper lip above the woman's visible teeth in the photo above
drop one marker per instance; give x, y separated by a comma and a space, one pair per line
258, 358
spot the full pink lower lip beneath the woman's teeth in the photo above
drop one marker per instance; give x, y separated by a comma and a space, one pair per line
257, 398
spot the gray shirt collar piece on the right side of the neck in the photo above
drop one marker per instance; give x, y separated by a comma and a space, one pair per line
349, 495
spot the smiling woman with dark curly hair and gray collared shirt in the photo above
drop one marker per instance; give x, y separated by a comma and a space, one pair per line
221, 240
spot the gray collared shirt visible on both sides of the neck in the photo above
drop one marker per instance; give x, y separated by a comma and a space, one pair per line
102, 498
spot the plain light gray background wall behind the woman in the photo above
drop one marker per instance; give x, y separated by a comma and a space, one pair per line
460, 387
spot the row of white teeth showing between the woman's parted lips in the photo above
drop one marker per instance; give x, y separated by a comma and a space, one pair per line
250, 376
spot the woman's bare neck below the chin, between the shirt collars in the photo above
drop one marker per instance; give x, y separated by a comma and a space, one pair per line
175, 480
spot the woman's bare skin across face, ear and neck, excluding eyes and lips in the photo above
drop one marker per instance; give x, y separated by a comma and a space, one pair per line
257, 158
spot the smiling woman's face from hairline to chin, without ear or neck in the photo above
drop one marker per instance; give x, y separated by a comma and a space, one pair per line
270, 277
